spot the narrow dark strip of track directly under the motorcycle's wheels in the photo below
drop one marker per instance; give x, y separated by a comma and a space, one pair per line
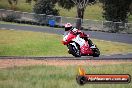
68, 58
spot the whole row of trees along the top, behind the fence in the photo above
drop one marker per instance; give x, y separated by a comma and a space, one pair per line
113, 10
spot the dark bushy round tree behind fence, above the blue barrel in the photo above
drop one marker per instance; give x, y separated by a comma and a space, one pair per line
45, 7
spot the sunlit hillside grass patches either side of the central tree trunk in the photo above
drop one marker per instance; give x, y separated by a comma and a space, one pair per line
91, 12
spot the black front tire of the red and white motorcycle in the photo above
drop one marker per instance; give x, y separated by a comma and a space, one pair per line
75, 52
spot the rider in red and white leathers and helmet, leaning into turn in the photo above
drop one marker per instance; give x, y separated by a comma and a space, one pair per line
69, 27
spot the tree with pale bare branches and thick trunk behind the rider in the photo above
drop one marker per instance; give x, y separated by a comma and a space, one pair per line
68, 4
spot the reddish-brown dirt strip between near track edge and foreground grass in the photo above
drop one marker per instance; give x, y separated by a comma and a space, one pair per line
6, 63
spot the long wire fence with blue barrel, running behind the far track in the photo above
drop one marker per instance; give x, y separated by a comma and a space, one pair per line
59, 21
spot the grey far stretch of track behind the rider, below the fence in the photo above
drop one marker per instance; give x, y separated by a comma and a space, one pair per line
124, 38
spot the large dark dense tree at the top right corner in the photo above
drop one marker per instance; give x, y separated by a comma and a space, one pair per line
116, 10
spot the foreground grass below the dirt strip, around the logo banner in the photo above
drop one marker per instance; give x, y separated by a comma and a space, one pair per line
58, 77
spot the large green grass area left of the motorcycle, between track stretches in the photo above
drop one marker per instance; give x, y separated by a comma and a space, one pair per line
23, 43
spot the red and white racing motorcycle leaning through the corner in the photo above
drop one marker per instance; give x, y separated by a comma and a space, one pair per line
77, 46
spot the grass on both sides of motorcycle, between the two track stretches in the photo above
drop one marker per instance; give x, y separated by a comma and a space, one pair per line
27, 43
